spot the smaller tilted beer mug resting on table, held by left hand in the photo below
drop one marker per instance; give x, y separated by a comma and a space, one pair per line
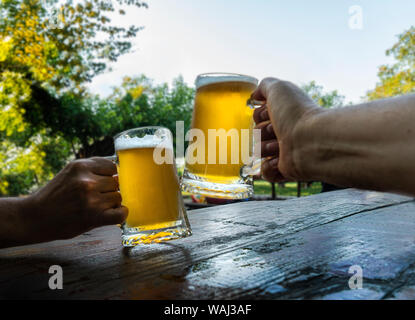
149, 187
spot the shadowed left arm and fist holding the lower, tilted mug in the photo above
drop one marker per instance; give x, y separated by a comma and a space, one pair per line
81, 197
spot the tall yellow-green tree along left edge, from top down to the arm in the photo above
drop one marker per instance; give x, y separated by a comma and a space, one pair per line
49, 49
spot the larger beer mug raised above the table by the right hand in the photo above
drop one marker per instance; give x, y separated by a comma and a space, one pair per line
222, 129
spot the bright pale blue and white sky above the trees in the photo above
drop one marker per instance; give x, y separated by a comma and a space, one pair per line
296, 40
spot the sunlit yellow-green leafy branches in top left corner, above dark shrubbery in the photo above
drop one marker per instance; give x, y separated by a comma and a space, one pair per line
58, 41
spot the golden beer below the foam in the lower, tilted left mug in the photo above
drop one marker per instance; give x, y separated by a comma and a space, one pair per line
150, 191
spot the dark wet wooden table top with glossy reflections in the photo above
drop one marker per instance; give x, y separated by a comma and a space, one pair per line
294, 249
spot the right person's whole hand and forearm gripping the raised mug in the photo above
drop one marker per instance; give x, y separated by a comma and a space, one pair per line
368, 146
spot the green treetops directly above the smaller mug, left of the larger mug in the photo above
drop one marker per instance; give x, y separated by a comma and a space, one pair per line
137, 102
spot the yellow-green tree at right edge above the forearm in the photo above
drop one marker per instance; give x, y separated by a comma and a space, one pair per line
399, 77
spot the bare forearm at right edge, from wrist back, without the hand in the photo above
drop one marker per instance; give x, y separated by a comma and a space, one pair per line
369, 146
